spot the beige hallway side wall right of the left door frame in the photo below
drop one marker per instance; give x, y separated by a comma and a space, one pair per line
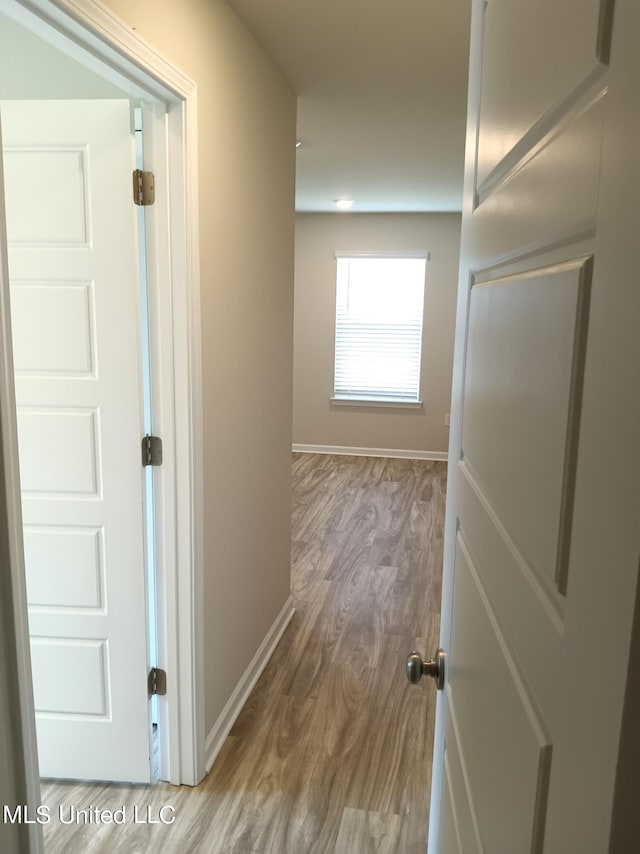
246, 115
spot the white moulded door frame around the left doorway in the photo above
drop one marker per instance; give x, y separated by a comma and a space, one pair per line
175, 329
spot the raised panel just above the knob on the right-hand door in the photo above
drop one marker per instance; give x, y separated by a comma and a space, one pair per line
522, 389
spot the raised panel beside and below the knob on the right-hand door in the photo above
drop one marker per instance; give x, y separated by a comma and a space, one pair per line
495, 723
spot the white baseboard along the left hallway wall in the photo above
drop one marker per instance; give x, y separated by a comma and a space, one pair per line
220, 730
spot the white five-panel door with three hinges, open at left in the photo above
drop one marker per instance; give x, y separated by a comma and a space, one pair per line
75, 321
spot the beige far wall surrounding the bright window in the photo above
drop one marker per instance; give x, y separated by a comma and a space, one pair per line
315, 420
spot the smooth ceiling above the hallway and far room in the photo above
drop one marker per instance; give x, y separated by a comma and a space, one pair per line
382, 97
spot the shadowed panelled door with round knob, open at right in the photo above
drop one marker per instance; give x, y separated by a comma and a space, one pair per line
541, 554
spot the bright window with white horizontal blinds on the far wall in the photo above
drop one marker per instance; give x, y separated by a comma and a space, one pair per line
379, 315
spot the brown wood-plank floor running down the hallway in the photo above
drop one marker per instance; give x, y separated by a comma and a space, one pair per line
333, 750
